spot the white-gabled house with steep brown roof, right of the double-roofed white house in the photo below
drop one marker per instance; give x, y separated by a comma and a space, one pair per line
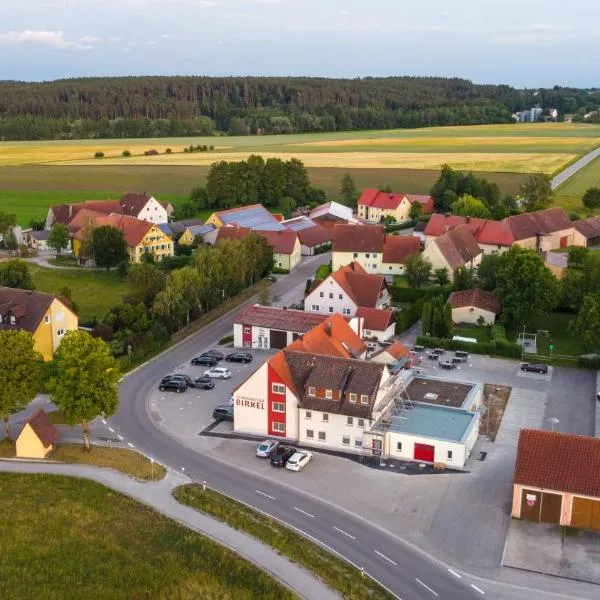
453, 250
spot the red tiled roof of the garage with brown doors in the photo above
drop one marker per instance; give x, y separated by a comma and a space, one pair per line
559, 461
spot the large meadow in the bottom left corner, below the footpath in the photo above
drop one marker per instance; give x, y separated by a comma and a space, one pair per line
70, 538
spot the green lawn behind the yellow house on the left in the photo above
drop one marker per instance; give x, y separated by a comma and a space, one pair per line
93, 291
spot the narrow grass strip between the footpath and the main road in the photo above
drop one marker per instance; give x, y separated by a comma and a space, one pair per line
334, 571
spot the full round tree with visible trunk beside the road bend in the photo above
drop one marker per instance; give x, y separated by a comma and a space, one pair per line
85, 383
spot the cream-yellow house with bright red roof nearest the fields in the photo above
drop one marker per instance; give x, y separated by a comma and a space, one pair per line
374, 205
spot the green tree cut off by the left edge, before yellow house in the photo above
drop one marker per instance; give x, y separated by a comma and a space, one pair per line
20, 373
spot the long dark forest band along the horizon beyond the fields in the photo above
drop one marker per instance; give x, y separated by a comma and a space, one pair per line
123, 107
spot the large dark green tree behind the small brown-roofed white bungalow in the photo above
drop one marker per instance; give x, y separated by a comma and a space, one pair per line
525, 287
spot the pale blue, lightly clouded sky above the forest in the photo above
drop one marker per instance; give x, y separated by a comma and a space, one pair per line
524, 43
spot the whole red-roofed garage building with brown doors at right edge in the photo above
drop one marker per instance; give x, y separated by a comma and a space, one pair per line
557, 479
